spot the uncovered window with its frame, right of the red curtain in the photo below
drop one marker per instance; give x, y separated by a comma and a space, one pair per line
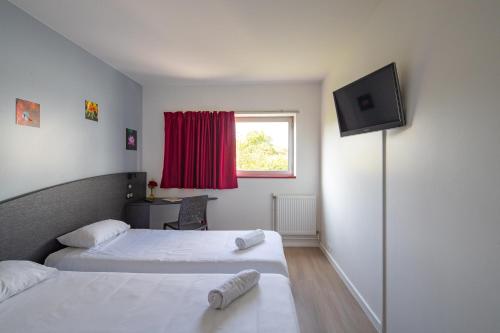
265, 145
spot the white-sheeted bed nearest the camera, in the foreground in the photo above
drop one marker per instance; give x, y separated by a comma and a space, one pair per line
128, 302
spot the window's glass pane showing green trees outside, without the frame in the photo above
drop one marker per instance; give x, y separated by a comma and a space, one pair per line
262, 146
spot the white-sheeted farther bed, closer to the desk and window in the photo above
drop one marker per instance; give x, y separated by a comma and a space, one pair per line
163, 251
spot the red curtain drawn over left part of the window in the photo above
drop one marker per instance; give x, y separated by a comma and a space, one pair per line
200, 150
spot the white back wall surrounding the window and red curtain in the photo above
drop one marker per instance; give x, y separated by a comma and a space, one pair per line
249, 206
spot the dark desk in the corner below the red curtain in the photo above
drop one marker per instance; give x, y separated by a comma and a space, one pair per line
137, 213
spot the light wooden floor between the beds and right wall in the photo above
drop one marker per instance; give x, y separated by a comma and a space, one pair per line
323, 302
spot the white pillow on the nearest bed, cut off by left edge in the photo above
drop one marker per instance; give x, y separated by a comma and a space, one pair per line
19, 275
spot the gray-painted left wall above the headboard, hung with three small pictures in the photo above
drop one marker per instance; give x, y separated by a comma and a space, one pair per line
40, 65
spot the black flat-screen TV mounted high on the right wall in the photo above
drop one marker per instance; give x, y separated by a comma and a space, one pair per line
371, 103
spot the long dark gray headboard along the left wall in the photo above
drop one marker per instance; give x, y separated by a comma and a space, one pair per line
29, 224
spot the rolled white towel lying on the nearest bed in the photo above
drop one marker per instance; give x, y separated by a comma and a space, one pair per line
239, 284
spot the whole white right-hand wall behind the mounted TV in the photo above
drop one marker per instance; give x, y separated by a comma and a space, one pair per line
443, 232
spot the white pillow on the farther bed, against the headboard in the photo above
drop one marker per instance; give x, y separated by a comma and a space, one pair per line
93, 234
